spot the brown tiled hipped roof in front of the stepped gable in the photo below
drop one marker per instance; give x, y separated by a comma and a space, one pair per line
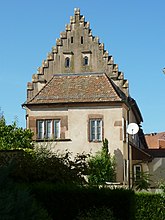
86, 87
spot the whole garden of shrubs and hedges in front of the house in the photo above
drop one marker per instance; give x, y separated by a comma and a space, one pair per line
36, 184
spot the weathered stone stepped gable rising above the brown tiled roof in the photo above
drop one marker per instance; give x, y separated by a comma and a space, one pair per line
75, 45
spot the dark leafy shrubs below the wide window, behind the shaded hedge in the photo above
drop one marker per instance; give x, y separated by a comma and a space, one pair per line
37, 165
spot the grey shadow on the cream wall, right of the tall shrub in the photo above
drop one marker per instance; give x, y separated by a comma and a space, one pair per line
119, 165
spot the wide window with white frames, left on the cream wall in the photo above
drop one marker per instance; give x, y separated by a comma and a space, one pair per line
48, 129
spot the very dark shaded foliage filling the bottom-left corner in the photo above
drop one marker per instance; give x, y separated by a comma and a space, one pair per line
16, 201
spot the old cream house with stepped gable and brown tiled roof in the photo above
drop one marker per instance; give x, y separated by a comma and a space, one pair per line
78, 97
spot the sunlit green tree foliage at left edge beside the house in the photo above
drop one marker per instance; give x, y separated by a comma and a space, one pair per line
12, 137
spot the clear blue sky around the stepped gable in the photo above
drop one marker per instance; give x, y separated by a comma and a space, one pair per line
133, 33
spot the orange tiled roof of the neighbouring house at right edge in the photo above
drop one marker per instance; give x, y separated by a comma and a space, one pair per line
155, 140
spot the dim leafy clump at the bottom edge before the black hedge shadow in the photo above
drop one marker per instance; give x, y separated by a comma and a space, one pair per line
102, 213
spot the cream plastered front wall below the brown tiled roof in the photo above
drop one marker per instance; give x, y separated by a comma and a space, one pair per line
78, 131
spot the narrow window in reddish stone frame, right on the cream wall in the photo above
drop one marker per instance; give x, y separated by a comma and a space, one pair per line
96, 130
